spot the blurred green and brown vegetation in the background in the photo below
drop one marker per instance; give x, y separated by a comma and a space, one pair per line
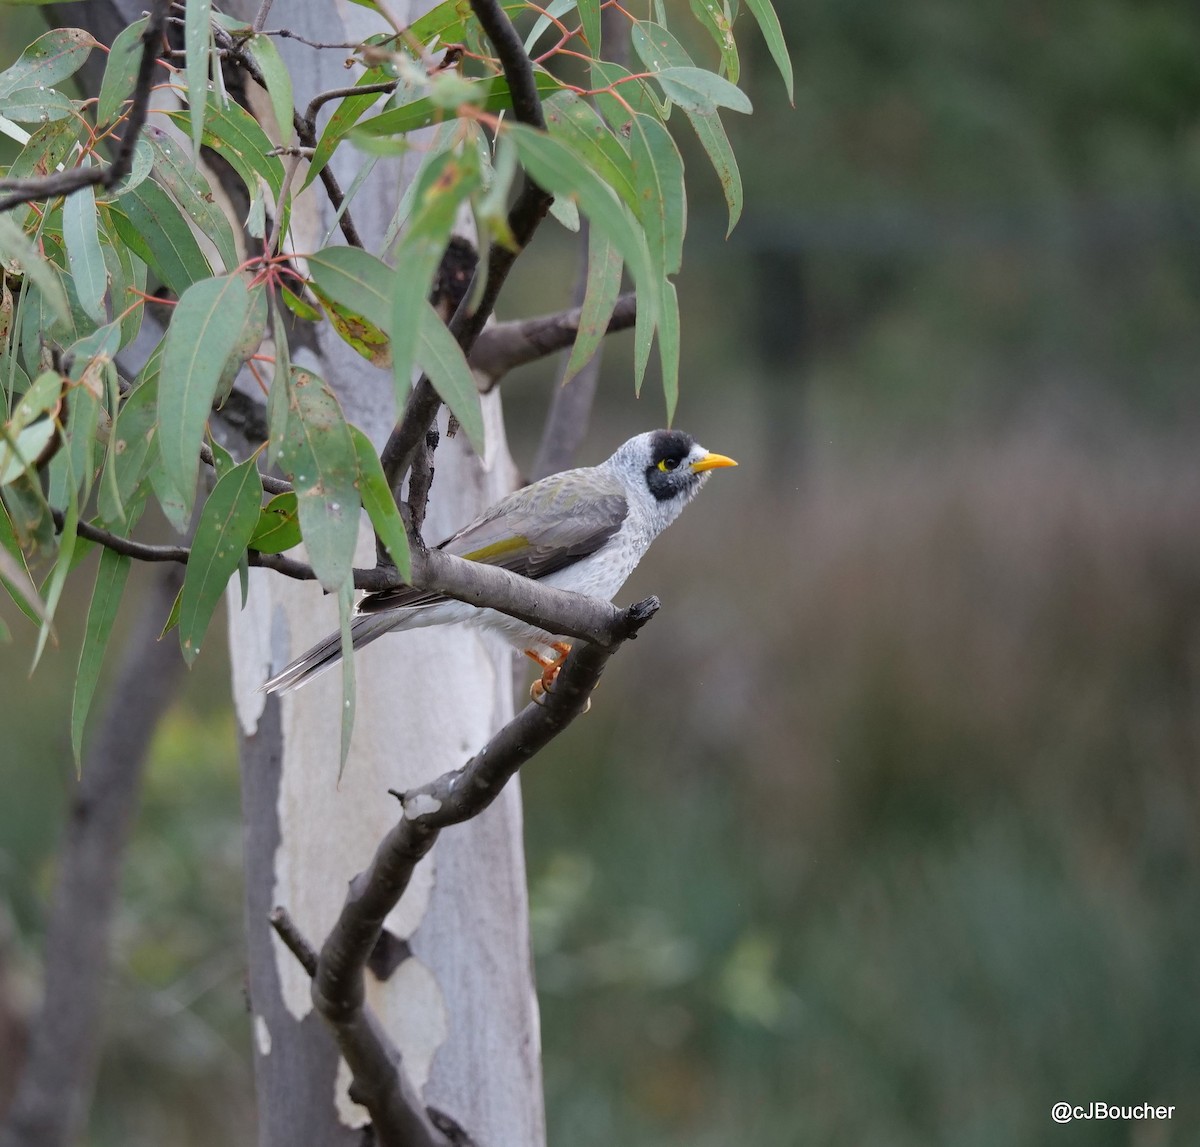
886, 831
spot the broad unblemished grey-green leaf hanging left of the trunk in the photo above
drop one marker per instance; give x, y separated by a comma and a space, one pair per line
203, 332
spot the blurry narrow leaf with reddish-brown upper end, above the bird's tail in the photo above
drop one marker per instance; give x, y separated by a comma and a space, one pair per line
446, 185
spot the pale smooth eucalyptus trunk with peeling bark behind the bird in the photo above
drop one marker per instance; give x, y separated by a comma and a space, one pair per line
460, 1004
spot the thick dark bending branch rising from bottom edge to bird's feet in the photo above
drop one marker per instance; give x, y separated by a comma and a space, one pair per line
338, 981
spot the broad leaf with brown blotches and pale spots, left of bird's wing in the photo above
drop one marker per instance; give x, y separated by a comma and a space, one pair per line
319, 457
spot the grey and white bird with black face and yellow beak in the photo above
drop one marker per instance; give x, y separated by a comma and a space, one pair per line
583, 531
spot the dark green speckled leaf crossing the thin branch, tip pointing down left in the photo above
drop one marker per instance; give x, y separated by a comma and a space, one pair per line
223, 533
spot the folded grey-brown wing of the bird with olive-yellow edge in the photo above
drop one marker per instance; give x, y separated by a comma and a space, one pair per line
533, 532
